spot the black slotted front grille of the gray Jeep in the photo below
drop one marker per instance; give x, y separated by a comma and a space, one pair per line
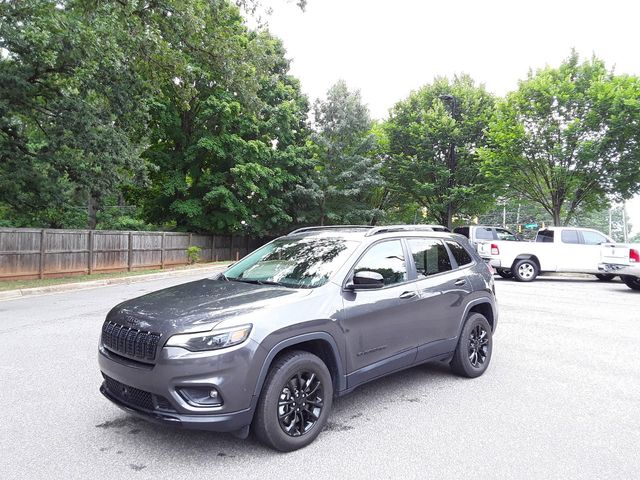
129, 341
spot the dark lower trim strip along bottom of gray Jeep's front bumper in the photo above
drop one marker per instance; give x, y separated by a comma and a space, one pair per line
227, 422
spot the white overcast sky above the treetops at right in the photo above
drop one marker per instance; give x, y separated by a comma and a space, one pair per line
388, 48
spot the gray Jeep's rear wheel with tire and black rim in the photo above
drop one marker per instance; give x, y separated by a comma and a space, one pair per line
473, 352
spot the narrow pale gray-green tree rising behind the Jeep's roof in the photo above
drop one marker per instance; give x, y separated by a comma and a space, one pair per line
347, 172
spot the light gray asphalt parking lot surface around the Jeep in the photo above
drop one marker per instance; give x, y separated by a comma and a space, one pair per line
561, 399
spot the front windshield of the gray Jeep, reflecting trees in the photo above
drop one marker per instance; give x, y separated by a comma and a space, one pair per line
293, 262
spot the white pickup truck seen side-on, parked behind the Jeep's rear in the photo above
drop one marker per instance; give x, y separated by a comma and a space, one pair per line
555, 249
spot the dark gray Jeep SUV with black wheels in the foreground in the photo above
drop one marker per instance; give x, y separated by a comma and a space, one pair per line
312, 315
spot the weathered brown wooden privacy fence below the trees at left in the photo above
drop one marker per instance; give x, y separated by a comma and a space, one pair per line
36, 253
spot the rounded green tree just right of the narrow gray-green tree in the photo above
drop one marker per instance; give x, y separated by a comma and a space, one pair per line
420, 170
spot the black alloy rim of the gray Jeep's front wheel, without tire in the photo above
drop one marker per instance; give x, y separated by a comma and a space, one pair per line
300, 404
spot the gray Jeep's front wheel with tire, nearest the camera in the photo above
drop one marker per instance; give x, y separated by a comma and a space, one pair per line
294, 403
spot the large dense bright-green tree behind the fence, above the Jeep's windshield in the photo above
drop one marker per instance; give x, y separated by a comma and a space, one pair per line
222, 160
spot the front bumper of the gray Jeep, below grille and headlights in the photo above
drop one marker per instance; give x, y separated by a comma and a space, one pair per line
151, 391
